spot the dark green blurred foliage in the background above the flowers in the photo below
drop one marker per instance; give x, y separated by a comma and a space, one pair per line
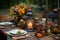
37, 5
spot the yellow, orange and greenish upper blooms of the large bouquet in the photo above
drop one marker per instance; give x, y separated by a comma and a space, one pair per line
20, 8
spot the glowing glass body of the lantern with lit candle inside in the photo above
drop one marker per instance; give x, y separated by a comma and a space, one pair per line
30, 22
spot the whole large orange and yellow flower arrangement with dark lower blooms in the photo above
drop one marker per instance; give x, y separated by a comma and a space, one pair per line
20, 12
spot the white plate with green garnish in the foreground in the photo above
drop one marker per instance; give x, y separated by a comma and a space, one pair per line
17, 32
